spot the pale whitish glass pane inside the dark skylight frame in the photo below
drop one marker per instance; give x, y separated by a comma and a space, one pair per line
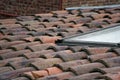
110, 35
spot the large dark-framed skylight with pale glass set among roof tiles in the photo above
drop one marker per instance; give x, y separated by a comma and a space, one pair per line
105, 37
